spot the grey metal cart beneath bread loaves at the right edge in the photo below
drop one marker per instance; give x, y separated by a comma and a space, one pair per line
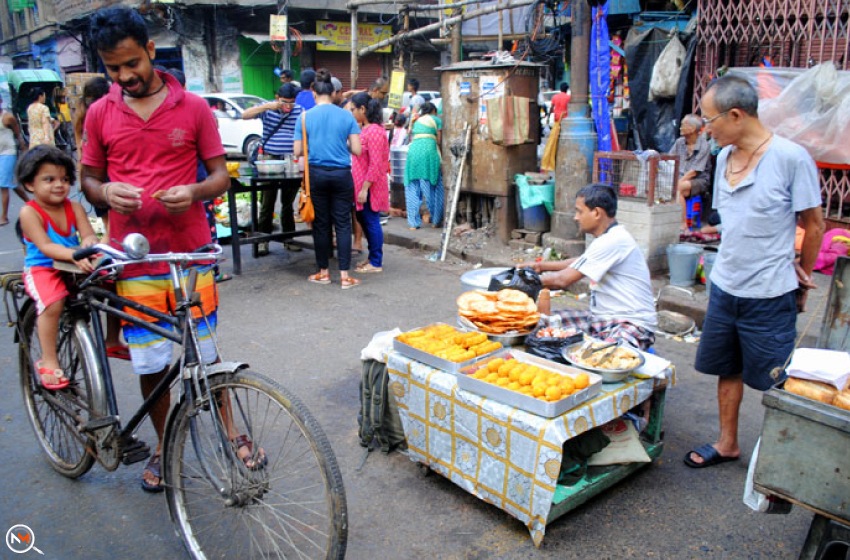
804, 455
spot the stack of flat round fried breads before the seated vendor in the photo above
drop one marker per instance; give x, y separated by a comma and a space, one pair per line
498, 312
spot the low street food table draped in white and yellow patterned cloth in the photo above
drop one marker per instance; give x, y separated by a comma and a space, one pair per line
506, 455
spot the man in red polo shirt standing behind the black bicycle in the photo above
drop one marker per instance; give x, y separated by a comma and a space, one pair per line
146, 136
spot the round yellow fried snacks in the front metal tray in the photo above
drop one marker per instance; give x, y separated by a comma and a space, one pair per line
529, 379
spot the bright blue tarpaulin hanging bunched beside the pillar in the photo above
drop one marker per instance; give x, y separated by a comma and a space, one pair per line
600, 76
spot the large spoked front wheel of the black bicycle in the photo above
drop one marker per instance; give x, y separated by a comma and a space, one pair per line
289, 505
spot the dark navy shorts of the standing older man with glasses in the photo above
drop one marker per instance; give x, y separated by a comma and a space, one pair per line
747, 336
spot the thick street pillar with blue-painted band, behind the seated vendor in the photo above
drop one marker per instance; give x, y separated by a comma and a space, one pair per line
578, 138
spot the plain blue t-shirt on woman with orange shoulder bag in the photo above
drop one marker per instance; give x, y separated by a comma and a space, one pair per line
328, 128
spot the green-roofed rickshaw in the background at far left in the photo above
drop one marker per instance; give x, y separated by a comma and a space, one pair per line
21, 85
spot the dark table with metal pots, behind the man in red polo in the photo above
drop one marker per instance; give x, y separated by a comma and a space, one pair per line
254, 185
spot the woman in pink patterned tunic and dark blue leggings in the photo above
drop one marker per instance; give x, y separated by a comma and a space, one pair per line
369, 169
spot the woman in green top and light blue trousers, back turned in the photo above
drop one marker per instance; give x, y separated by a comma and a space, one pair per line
422, 176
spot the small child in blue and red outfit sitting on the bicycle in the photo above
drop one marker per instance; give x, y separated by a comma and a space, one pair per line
53, 228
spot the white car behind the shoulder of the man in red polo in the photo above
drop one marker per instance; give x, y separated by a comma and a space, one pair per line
238, 136
